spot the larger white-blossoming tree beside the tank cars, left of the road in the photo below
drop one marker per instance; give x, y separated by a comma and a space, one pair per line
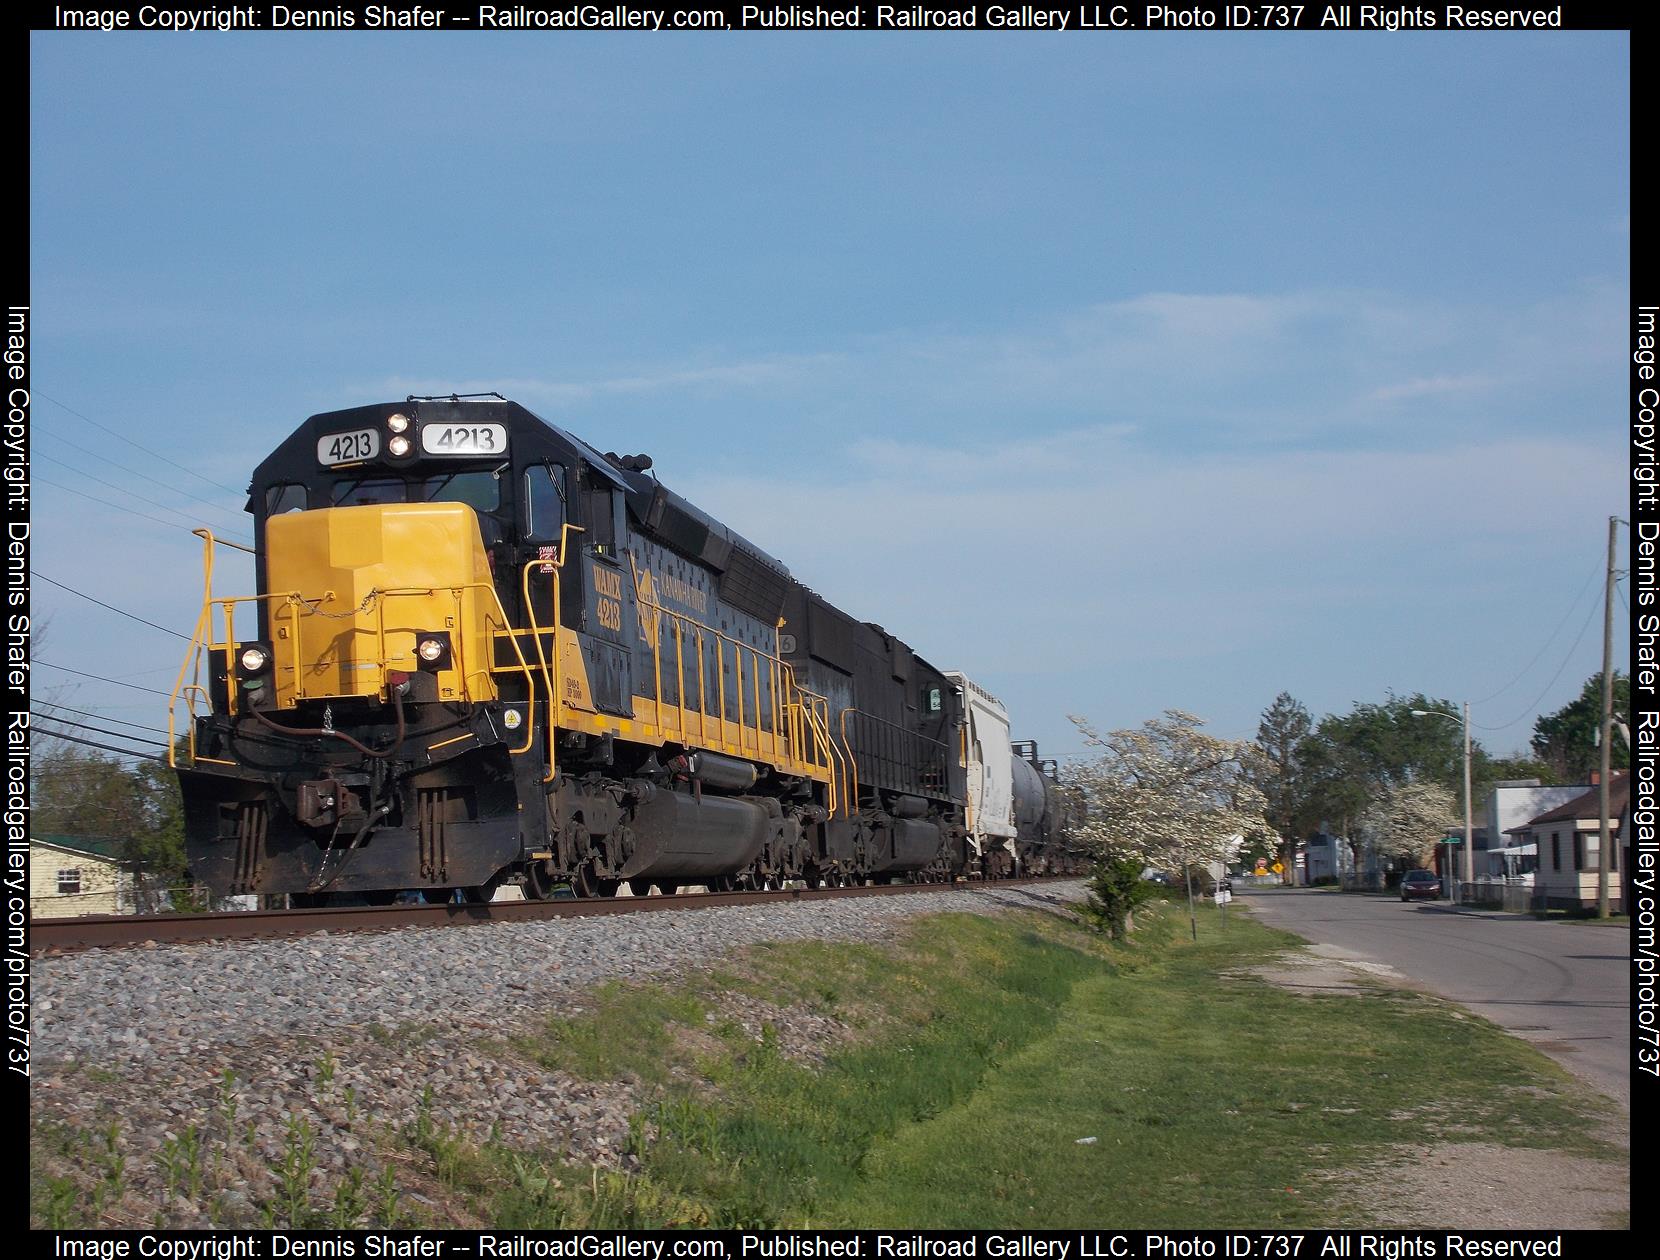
1168, 794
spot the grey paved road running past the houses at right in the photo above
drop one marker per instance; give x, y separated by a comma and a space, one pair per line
1563, 987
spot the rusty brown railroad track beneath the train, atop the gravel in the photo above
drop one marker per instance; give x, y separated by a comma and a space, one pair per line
100, 932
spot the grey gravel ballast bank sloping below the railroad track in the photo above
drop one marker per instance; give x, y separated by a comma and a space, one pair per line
315, 1052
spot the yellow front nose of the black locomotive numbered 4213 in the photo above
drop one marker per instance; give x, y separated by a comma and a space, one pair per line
356, 593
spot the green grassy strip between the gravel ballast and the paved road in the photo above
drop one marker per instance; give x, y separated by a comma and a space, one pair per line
985, 1050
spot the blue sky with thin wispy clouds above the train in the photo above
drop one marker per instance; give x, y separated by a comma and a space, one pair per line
1123, 373
